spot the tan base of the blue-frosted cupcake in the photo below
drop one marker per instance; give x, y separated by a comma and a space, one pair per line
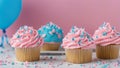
50, 47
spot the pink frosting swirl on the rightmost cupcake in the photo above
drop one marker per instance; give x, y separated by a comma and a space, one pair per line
106, 35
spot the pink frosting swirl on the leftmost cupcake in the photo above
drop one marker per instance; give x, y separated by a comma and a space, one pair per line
26, 37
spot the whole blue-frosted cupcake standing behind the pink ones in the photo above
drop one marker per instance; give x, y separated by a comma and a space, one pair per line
52, 35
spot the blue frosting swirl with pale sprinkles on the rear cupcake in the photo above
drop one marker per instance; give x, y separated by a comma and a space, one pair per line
51, 33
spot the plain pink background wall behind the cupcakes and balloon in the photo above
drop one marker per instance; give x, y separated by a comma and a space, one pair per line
66, 13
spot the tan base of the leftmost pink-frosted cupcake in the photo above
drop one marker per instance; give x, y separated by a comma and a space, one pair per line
27, 54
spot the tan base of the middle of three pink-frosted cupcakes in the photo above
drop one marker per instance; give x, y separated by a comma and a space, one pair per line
78, 56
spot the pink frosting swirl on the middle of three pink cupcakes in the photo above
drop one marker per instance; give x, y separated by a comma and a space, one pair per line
77, 38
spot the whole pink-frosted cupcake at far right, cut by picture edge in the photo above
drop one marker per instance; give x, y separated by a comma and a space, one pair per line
107, 42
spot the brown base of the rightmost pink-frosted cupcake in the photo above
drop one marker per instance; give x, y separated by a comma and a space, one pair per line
107, 52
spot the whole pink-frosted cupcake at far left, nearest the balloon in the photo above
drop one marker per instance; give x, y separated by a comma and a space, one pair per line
27, 43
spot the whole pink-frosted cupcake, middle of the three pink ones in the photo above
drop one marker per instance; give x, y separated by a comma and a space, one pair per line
78, 46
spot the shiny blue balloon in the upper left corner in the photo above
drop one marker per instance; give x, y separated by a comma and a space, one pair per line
9, 12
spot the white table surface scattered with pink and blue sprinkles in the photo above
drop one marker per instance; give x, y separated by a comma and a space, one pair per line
7, 60
